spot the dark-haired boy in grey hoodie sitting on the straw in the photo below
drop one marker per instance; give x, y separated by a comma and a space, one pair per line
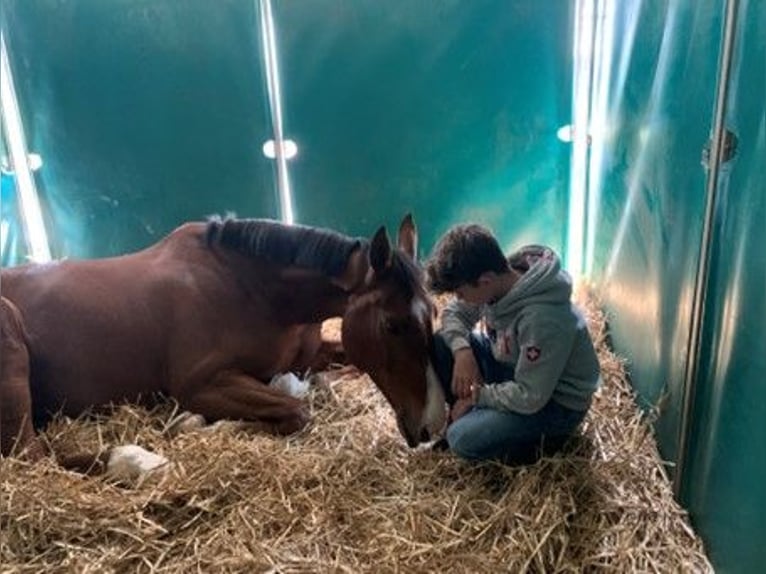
526, 377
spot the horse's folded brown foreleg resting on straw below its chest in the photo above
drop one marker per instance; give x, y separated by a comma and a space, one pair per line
233, 395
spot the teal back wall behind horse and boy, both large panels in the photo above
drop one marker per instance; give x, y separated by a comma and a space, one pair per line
148, 114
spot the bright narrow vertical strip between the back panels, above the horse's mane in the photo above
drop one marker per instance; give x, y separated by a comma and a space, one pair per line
275, 105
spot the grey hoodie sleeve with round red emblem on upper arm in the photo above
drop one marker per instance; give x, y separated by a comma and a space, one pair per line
545, 344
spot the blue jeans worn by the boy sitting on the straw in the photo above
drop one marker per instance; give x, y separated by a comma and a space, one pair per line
492, 434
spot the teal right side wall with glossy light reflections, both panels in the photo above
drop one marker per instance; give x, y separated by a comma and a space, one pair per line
652, 204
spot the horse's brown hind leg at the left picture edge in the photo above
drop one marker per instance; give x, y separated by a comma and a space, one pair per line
17, 434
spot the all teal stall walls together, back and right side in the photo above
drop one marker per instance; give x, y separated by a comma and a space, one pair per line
151, 113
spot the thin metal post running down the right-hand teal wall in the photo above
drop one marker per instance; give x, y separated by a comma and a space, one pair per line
691, 370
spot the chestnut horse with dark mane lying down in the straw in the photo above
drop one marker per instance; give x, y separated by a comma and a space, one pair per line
207, 316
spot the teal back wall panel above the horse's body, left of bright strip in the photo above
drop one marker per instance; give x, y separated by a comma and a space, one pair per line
147, 113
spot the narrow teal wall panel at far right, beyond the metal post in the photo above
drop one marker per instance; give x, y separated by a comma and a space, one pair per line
724, 480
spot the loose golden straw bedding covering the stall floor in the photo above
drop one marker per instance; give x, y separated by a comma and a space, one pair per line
347, 495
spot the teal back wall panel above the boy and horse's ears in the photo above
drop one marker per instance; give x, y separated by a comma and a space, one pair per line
448, 109
